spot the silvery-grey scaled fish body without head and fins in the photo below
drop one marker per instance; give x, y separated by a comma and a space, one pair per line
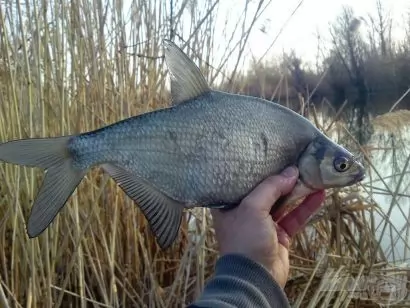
209, 151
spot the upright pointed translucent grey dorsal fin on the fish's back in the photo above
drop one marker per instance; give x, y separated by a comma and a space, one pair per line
187, 81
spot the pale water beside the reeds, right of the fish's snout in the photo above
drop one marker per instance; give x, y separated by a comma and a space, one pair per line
390, 164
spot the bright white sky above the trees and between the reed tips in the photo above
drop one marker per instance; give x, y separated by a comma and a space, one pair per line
299, 32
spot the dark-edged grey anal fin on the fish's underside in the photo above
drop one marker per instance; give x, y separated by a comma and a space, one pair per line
164, 214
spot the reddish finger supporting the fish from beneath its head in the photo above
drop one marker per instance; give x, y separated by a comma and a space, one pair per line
293, 222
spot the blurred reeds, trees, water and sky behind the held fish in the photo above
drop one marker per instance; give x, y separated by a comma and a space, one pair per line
72, 66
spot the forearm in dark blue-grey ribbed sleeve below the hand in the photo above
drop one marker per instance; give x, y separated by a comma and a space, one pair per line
241, 282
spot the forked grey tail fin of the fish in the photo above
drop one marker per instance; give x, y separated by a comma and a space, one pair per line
60, 180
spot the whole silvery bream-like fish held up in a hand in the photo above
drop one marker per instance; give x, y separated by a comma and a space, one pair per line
208, 148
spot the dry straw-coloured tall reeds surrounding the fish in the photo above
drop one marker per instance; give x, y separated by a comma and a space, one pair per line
73, 66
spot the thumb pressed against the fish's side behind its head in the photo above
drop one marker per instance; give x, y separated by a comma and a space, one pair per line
269, 191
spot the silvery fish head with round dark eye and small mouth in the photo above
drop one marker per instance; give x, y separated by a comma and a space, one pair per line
325, 164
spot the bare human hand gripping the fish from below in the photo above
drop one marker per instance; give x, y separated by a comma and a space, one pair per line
250, 230
